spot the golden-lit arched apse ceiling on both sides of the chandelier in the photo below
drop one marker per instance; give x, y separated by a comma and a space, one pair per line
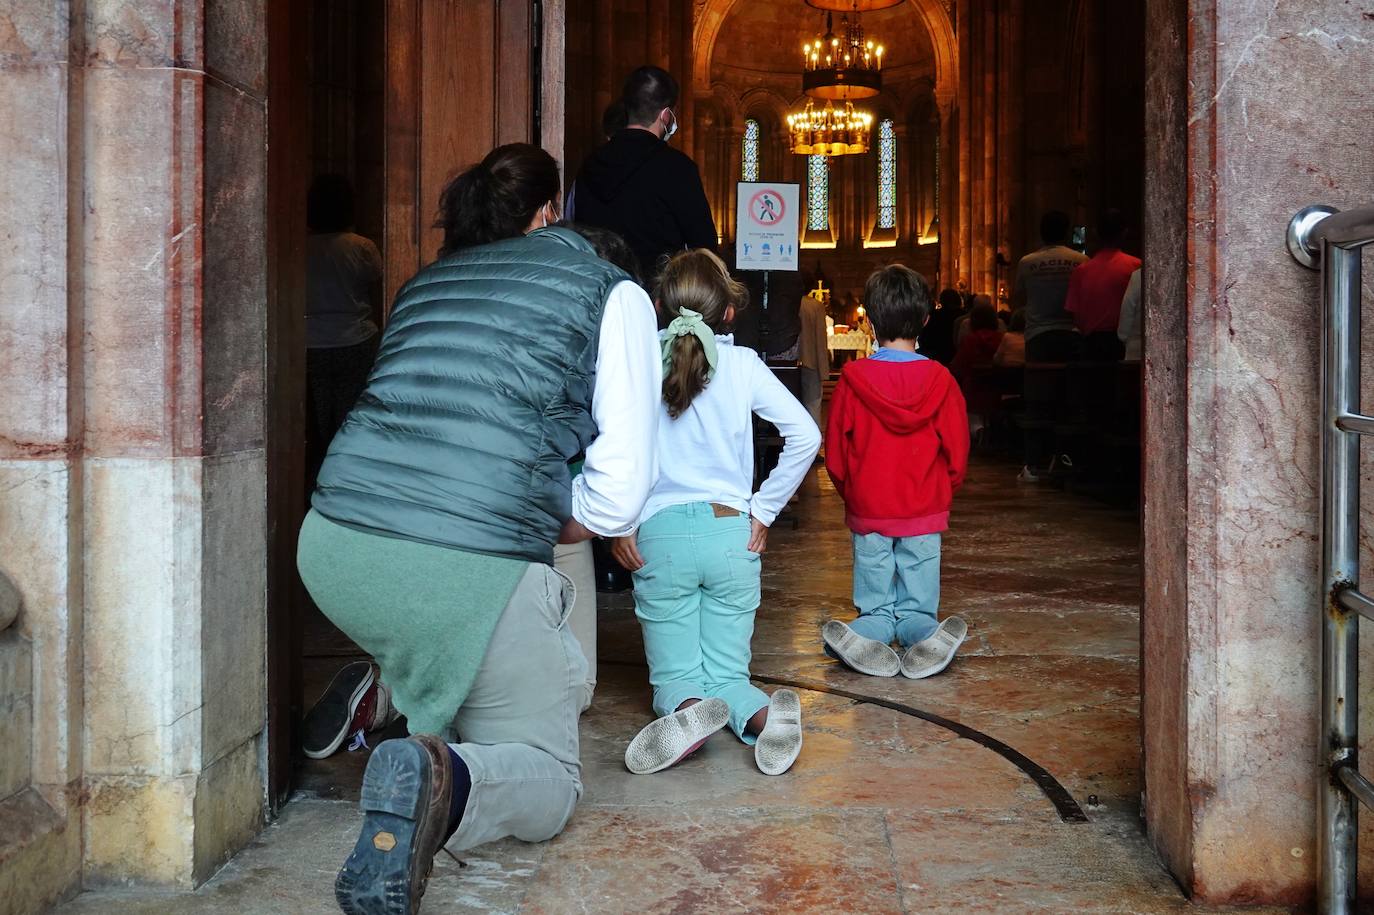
759, 45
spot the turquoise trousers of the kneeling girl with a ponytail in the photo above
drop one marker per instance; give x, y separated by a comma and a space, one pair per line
696, 601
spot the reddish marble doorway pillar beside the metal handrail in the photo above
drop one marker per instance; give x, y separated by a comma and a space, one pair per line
1252, 113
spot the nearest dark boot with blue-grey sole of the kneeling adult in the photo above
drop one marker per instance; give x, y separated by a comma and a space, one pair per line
406, 800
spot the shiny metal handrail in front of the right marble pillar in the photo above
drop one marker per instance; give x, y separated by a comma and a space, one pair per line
1321, 238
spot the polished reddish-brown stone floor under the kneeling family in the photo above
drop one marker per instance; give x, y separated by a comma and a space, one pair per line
886, 811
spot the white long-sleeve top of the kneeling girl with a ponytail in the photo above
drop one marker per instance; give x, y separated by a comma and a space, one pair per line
708, 453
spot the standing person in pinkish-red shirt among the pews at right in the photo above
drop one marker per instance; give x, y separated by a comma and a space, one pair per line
1097, 288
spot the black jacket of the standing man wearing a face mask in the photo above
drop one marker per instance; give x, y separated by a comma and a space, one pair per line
648, 192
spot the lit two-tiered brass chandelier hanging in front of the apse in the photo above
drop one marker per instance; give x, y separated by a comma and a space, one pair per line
837, 68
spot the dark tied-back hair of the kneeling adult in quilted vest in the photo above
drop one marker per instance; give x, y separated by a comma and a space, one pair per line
498, 197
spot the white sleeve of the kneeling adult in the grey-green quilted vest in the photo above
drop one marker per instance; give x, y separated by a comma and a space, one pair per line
622, 464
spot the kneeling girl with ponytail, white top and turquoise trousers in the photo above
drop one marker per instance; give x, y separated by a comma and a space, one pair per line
696, 556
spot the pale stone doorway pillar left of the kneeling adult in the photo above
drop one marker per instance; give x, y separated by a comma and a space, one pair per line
131, 450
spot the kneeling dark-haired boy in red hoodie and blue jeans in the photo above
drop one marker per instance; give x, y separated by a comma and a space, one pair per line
897, 449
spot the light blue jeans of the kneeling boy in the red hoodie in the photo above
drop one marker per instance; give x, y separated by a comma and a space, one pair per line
897, 587
